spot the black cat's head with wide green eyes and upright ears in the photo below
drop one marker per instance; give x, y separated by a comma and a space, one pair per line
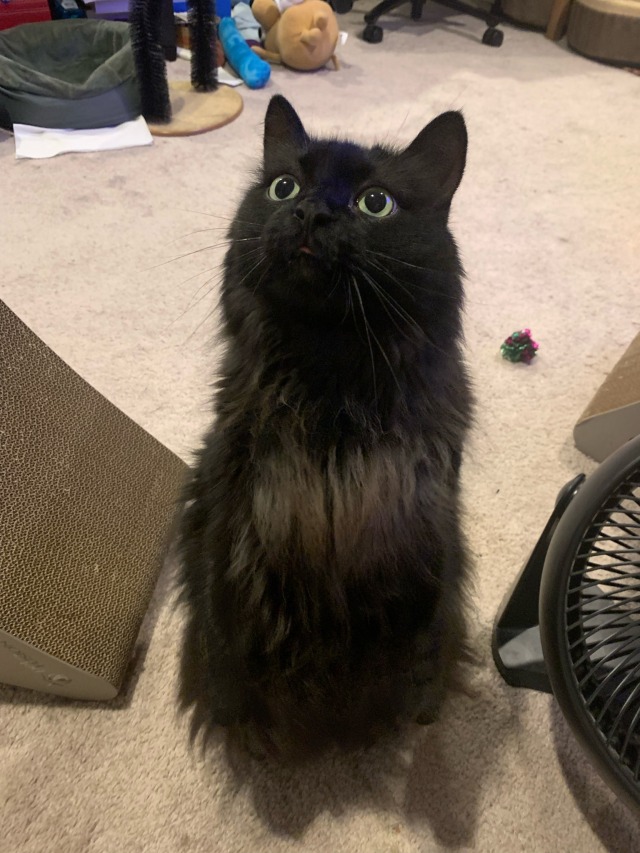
332, 227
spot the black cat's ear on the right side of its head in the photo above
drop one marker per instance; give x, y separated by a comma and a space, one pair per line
439, 154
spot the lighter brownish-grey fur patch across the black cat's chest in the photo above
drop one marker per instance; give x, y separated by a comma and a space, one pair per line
328, 509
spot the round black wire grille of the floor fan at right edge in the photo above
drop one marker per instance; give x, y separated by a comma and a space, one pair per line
603, 622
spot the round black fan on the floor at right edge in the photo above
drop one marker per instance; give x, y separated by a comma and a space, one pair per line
571, 624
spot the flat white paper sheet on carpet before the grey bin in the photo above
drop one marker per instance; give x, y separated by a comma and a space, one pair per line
40, 142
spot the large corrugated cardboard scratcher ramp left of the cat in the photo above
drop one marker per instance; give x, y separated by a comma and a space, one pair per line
89, 501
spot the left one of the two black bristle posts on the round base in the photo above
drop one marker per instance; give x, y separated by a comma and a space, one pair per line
144, 26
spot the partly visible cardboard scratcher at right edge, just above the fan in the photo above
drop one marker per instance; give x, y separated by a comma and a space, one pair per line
613, 416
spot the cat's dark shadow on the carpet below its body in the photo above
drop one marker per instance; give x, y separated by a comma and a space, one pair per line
431, 778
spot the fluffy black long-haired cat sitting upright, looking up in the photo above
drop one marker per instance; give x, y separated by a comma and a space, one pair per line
323, 563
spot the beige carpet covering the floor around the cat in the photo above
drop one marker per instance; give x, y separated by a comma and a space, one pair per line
548, 222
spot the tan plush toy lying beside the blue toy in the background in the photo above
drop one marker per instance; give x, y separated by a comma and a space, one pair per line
302, 34
